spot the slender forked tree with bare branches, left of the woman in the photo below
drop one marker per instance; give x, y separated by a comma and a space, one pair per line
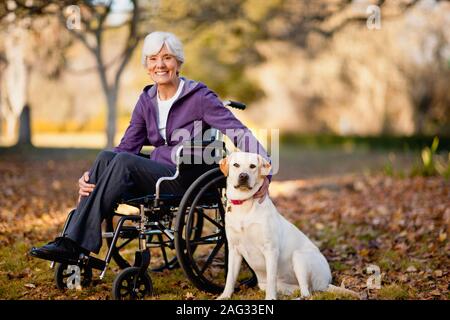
88, 22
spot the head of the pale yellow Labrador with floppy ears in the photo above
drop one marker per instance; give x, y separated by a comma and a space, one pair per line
245, 171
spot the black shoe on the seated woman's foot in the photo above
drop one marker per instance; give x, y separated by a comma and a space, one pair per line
62, 249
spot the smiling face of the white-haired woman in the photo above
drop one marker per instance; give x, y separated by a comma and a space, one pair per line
163, 67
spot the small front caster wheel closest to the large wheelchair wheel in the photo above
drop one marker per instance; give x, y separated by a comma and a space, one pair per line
128, 285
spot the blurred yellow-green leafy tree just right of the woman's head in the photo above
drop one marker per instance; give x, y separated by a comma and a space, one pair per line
219, 38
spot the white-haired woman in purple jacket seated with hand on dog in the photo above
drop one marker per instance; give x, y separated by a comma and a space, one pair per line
172, 103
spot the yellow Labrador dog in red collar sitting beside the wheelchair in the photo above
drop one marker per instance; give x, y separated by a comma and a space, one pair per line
283, 258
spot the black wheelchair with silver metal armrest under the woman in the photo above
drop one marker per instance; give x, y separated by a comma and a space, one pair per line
167, 231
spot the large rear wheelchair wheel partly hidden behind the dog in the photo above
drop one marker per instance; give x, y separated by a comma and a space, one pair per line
203, 257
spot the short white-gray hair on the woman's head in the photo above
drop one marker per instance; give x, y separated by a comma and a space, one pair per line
154, 41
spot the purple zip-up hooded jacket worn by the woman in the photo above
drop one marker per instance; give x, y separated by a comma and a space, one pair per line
196, 104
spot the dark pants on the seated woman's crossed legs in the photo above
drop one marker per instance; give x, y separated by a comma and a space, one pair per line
117, 176
